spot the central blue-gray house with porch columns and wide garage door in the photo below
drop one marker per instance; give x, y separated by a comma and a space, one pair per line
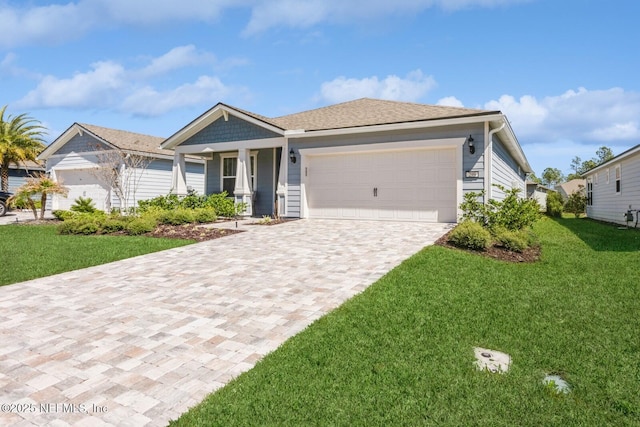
363, 159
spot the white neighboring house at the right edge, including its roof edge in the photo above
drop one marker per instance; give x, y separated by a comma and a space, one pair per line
613, 187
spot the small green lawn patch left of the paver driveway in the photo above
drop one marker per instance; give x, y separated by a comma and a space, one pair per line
29, 252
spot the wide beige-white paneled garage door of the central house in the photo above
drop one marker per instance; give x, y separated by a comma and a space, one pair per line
415, 185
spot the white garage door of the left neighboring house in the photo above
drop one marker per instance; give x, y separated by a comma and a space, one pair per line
81, 183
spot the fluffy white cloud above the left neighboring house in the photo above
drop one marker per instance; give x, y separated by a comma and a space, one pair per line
109, 85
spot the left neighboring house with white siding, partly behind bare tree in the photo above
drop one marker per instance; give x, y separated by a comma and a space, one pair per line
76, 157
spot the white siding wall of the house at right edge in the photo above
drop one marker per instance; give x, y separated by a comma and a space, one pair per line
608, 205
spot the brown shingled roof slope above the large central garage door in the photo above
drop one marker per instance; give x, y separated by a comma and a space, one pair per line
367, 112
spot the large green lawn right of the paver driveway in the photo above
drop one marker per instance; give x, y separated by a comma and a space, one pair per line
401, 352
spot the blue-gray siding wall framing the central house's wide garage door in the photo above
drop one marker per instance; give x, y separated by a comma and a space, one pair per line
470, 161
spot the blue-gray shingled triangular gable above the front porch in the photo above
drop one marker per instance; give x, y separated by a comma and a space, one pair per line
234, 129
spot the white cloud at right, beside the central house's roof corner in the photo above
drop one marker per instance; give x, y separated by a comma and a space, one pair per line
582, 115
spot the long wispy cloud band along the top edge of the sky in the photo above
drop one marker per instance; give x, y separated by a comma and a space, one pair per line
50, 24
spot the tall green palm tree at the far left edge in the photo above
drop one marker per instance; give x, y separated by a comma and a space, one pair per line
20, 140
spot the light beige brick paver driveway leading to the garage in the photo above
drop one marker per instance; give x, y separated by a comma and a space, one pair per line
139, 341
